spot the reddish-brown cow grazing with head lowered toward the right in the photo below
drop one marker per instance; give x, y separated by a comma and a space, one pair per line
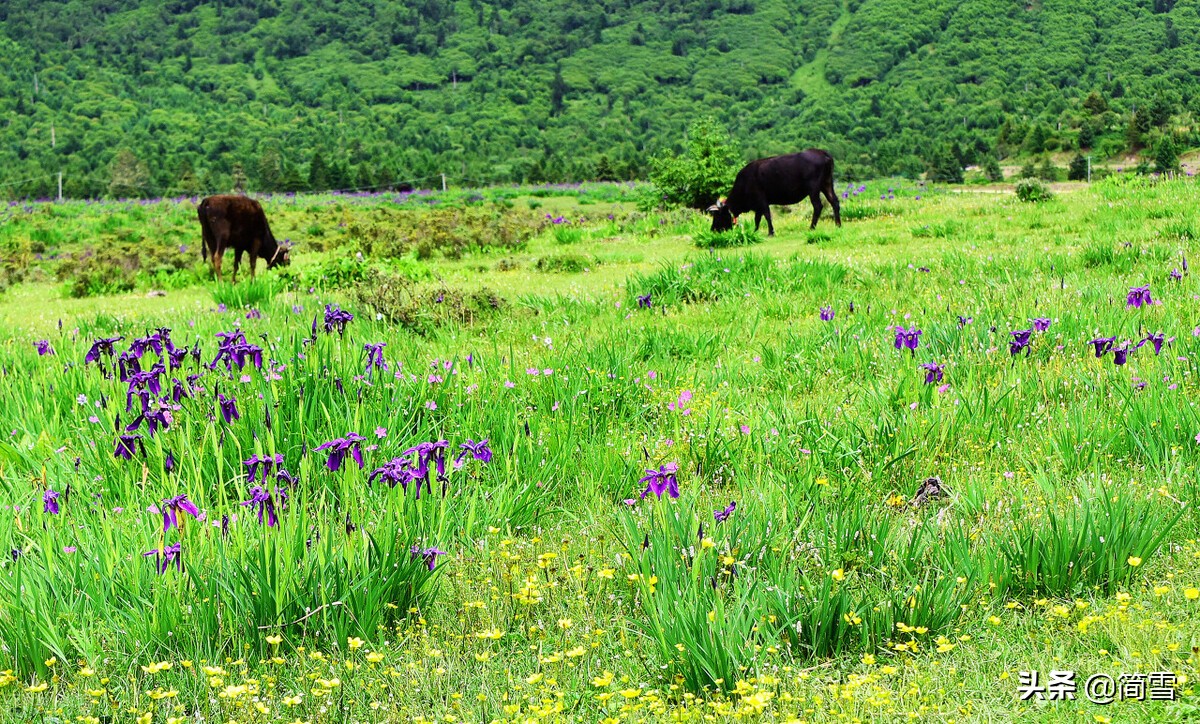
237, 222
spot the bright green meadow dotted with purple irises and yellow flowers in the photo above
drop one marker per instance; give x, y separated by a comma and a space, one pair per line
855, 475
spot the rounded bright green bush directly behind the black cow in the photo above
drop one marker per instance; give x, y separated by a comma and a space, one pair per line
706, 170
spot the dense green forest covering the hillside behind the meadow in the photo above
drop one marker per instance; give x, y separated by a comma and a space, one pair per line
148, 98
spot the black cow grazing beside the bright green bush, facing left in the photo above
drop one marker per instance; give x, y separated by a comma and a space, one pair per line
778, 181
